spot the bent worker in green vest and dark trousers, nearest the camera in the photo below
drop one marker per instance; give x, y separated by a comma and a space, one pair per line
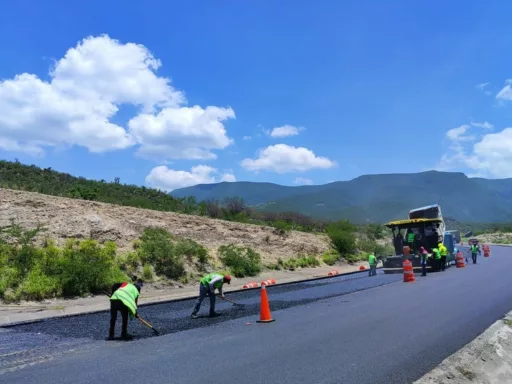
124, 299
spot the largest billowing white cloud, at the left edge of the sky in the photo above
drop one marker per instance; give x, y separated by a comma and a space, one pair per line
86, 89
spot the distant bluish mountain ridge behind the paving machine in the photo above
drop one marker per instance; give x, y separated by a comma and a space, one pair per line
375, 198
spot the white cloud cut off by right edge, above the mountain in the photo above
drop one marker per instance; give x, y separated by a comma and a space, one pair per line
489, 154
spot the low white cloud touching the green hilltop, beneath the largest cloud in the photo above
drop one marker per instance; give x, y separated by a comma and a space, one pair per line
166, 179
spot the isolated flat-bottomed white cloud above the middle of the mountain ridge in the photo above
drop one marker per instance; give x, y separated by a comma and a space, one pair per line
282, 158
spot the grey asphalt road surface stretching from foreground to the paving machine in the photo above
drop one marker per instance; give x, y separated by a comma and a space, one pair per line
362, 330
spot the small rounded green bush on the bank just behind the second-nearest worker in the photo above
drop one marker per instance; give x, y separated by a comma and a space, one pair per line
242, 261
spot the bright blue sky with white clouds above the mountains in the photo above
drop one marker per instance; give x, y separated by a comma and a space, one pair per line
365, 86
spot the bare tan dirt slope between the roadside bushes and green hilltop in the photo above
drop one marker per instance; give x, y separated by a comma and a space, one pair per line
71, 218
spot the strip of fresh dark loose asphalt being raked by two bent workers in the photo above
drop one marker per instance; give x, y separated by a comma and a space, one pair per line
171, 317
